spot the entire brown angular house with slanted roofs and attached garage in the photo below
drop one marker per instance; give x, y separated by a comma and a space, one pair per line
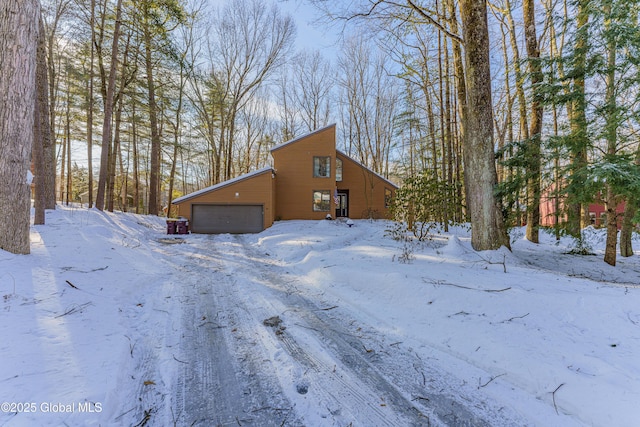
310, 179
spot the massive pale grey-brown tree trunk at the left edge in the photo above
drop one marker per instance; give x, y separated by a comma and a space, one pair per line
18, 46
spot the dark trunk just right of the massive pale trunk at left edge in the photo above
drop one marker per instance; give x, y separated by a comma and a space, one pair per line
41, 132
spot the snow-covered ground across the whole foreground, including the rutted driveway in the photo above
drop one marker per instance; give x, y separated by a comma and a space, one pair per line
111, 322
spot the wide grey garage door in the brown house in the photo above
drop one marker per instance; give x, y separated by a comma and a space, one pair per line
227, 219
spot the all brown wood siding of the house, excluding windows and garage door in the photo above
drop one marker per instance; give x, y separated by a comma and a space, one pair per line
290, 194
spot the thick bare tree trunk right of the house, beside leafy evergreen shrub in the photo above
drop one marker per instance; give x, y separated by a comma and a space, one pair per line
487, 226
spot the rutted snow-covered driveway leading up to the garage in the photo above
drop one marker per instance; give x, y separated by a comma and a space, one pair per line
257, 351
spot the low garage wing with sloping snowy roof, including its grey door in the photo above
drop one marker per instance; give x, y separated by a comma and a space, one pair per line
241, 205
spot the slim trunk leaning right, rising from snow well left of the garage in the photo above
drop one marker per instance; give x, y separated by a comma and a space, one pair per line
108, 112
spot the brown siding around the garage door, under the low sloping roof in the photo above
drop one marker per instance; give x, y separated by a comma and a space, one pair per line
255, 190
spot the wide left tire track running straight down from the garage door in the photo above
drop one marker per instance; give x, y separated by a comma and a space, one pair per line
220, 382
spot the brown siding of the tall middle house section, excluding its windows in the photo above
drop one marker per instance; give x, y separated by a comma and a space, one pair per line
295, 183
